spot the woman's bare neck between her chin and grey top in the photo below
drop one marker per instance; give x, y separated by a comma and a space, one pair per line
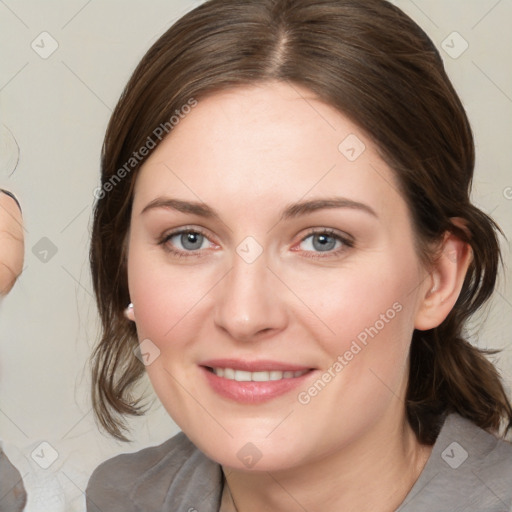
374, 473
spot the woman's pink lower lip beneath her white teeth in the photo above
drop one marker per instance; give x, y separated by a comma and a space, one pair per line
250, 392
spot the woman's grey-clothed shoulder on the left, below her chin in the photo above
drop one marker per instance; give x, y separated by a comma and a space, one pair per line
175, 476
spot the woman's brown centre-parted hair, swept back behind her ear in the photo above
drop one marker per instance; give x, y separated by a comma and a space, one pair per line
370, 61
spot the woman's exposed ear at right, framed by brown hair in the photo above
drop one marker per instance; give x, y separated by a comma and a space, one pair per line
444, 283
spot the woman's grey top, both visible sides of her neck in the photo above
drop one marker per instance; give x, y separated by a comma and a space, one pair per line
468, 470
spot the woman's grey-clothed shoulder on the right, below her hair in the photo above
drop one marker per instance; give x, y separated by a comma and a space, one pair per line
469, 469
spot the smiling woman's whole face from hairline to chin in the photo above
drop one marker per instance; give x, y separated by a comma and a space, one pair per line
269, 246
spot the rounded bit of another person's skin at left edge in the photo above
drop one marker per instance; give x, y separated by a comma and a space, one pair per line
11, 243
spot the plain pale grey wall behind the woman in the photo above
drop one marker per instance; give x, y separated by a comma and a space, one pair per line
55, 109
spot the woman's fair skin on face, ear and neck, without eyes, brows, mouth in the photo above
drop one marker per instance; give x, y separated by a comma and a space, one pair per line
248, 153
